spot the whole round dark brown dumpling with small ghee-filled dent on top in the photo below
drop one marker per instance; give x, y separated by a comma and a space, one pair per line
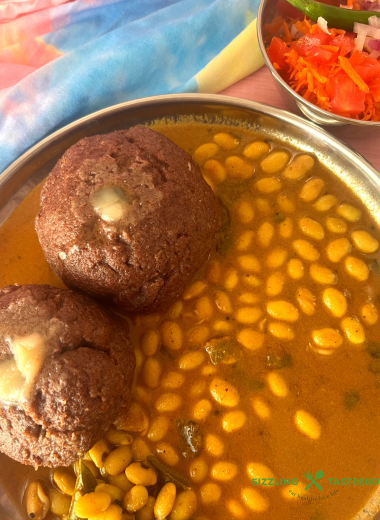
127, 217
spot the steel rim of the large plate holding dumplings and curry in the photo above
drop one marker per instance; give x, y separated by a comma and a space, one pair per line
346, 164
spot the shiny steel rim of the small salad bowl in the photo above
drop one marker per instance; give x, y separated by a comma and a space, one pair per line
265, 15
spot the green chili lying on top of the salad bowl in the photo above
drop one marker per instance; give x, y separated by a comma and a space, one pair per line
336, 17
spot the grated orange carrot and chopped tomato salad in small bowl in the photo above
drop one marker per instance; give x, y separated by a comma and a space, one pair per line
325, 67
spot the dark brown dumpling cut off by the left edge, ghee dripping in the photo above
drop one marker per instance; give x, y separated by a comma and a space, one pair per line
66, 370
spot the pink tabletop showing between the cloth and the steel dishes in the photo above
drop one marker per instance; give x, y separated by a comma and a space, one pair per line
260, 86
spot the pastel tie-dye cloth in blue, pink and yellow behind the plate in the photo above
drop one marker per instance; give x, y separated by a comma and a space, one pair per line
61, 60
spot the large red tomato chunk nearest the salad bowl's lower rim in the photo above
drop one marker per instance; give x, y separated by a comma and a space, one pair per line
346, 96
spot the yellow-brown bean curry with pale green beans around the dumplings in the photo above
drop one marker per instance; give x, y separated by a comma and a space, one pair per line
267, 367
